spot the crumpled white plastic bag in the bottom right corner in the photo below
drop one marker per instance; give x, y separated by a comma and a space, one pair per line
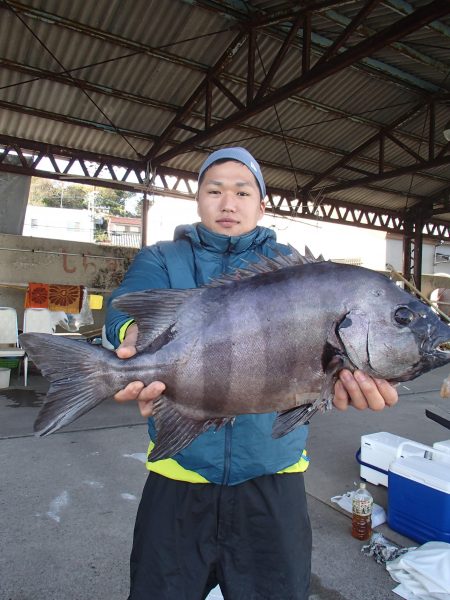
423, 573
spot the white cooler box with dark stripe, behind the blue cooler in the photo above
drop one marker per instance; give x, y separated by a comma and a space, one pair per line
378, 450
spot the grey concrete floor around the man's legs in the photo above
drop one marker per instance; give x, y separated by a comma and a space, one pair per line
68, 501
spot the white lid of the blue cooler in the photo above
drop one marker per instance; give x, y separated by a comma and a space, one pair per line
428, 472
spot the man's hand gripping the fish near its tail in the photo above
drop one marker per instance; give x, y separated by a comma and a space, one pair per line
137, 390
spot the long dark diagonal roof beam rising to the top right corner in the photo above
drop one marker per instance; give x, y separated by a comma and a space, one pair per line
407, 25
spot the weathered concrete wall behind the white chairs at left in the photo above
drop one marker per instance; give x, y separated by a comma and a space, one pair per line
28, 259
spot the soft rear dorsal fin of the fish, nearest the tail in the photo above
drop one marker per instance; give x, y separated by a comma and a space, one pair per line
155, 313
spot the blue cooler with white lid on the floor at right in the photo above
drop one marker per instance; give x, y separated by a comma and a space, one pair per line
419, 499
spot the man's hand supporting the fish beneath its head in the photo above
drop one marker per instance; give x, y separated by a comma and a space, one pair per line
361, 391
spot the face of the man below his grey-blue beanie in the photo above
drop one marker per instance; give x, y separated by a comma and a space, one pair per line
229, 199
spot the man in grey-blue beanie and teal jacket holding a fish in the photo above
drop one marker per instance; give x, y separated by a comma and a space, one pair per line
230, 509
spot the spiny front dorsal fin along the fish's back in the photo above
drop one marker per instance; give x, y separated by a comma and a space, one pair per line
268, 264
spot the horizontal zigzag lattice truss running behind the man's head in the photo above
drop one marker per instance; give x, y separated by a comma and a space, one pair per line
19, 156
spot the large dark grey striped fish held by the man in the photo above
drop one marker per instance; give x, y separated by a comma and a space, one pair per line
271, 338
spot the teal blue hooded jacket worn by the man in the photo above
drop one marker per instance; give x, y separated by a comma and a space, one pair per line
245, 448
